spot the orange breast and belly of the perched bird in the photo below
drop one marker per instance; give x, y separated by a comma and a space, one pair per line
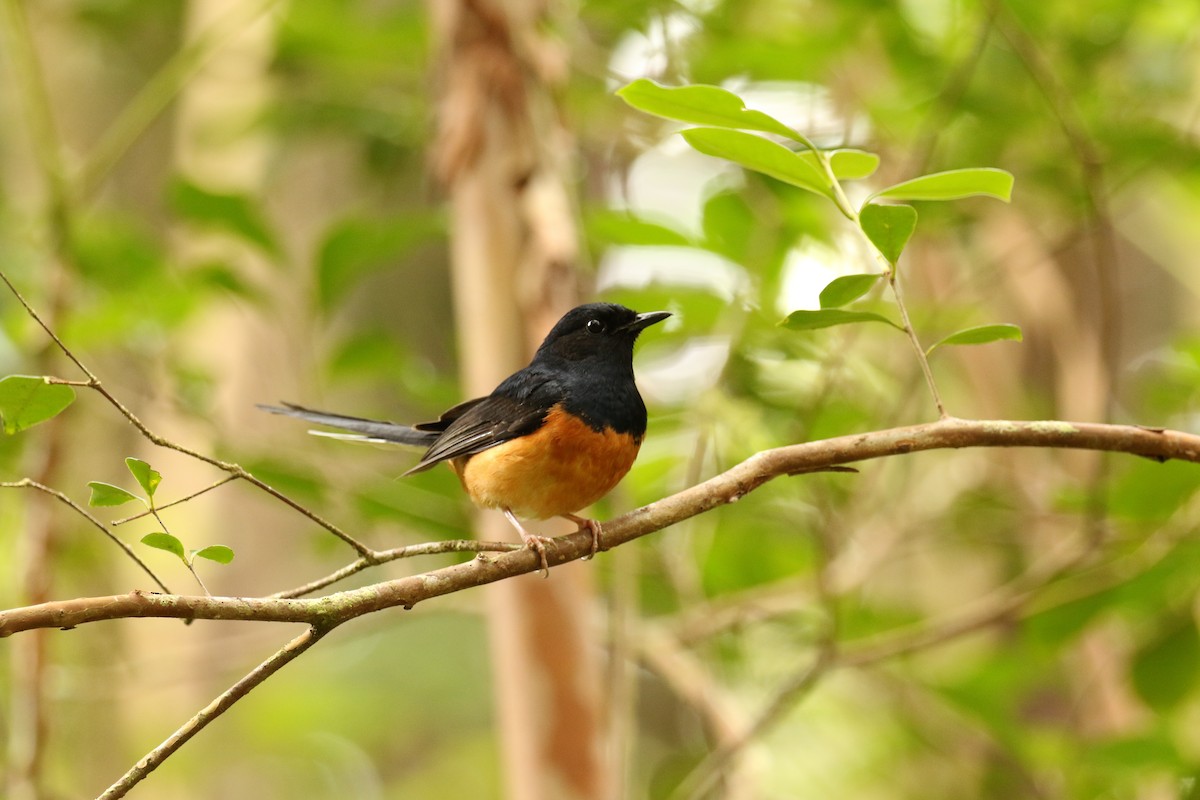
561, 468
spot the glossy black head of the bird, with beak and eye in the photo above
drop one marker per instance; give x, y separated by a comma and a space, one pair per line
598, 332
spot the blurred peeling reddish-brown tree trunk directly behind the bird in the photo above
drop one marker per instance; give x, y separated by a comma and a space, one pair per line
502, 153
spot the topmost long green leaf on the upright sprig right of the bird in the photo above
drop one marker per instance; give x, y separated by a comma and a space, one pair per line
703, 105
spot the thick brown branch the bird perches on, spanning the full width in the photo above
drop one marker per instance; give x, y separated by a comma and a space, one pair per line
724, 489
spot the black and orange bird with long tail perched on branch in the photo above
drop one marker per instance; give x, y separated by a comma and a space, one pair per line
551, 440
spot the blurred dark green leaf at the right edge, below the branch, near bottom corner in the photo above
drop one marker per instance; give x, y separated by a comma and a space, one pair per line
1167, 669
